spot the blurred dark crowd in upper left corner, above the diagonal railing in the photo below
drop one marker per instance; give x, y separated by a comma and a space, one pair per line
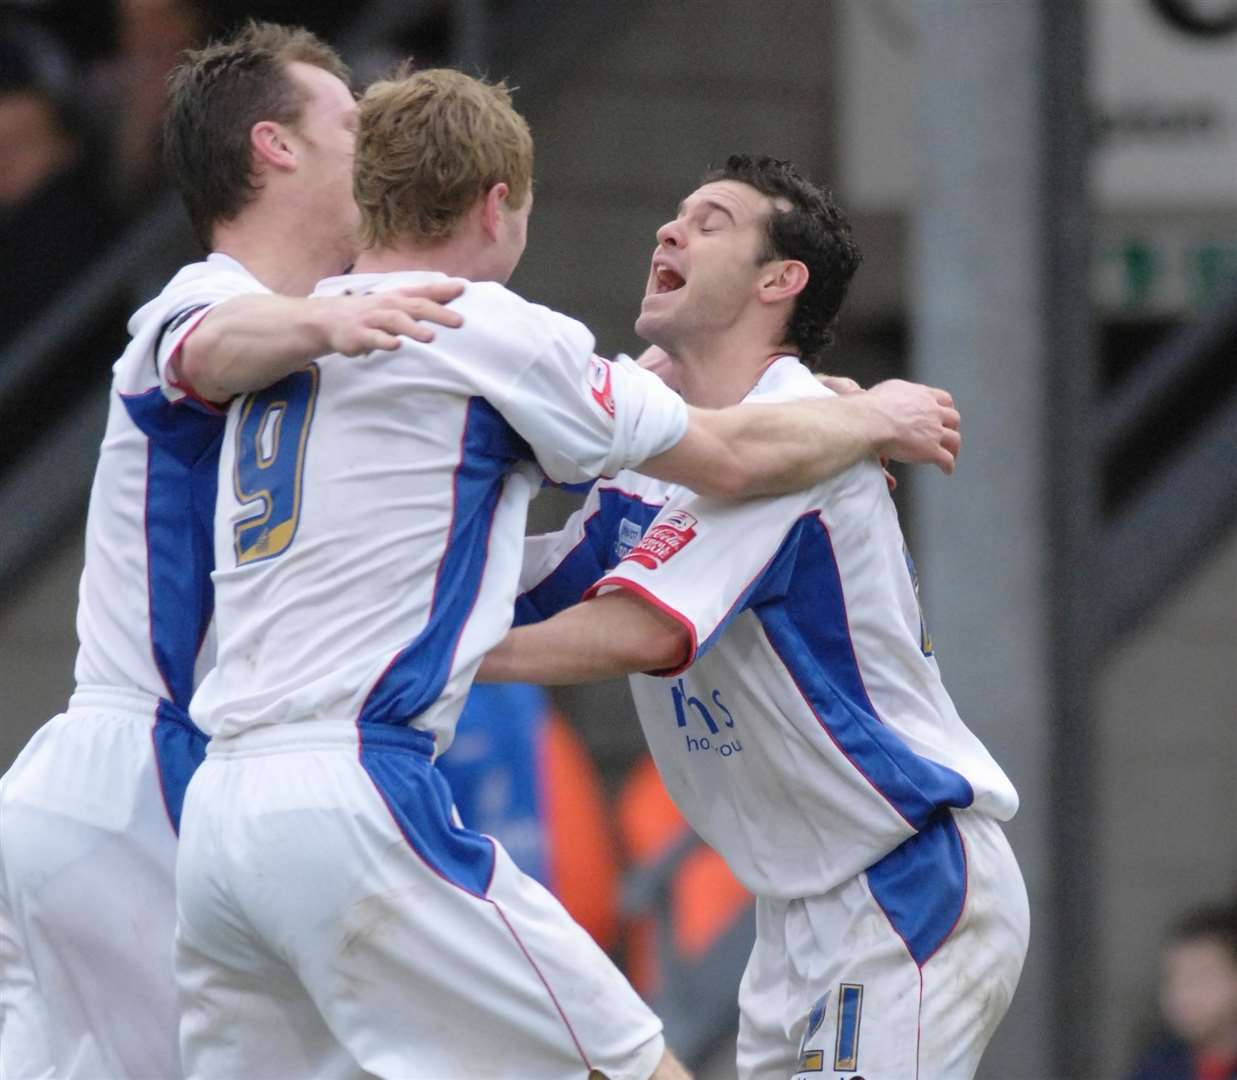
82, 91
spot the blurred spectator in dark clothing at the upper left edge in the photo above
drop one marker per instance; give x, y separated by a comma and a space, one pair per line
54, 212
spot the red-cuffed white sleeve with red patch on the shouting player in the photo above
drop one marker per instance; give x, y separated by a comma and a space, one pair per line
703, 561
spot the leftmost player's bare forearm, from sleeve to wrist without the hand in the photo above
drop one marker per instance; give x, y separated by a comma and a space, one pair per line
250, 342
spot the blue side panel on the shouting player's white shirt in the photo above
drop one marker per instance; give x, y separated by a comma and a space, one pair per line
801, 606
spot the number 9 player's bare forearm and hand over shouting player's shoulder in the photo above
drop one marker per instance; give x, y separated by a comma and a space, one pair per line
768, 450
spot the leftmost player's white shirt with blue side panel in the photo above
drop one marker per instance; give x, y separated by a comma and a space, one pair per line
145, 599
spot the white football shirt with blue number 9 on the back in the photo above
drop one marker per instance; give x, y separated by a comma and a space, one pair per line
372, 510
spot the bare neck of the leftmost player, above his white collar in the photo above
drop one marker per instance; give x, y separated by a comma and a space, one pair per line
288, 262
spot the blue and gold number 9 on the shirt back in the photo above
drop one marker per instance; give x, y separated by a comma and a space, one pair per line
272, 440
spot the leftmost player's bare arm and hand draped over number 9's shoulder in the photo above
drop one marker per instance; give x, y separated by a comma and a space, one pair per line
250, 342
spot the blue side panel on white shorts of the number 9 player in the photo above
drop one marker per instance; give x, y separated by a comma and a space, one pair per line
400, 763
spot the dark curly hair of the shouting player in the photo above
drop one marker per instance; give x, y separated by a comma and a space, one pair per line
815, 232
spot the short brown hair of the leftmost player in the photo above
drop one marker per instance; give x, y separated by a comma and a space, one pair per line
216, 97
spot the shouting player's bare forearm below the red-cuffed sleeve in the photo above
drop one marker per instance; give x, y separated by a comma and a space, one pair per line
613, 635
